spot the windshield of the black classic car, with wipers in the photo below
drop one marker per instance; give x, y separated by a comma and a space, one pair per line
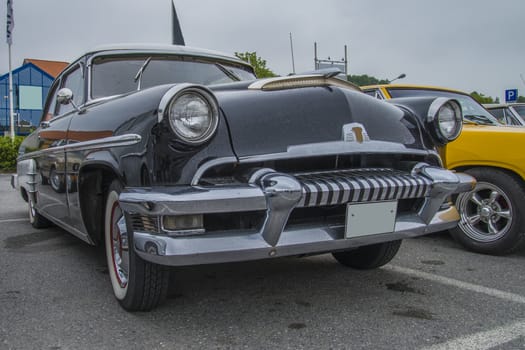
118, 75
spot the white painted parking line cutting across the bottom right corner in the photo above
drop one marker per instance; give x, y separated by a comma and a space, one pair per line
484, 340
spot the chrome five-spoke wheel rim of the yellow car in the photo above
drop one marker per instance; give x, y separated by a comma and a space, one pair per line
486, 213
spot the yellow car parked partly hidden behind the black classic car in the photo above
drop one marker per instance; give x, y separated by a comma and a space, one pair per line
493, 214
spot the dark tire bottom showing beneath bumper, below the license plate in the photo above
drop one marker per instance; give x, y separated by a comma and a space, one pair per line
370, 256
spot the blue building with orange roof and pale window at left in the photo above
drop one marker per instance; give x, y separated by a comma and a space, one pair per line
31, 83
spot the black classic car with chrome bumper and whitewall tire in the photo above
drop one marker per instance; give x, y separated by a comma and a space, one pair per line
172, 156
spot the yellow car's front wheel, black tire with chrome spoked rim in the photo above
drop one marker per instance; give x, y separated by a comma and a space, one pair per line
492, 215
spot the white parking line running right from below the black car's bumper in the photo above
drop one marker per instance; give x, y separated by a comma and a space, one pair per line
515, 298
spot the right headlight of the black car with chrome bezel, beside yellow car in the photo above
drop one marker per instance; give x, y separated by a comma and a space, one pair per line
445, 120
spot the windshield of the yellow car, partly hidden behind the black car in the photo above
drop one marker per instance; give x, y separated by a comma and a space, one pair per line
472, 110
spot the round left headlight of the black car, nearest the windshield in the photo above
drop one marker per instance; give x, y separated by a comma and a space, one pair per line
193, 115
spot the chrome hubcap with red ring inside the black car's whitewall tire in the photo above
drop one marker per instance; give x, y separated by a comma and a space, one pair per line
119, 246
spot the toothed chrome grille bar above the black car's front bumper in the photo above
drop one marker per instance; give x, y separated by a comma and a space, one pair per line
360, 185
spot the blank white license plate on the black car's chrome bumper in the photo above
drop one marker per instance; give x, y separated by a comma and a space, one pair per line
370, 218
